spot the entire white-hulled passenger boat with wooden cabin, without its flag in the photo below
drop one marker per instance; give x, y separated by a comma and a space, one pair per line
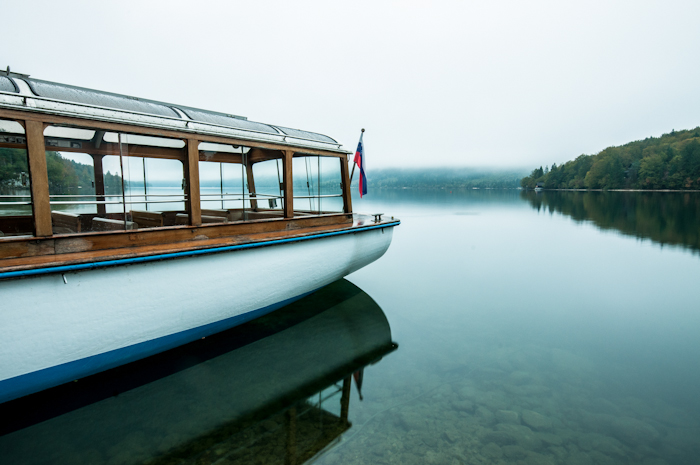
128, 226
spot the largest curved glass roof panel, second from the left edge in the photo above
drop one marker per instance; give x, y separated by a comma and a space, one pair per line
96, 97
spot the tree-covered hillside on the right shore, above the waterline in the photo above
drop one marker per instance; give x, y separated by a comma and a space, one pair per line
671, 161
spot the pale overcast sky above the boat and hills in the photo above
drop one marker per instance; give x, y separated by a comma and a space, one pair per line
487, 83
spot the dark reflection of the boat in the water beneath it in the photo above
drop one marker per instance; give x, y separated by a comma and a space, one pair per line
279, 386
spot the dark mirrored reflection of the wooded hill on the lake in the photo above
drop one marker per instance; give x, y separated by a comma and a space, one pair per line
666, 218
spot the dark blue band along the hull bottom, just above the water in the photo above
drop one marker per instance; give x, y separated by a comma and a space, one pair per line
53, 376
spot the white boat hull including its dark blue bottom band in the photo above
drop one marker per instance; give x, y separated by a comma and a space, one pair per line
58, 327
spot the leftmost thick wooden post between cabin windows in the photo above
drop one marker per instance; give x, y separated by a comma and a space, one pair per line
41, 205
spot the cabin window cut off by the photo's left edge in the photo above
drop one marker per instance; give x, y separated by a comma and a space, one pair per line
16, 217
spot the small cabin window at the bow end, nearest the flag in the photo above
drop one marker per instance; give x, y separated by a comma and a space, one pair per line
317, 185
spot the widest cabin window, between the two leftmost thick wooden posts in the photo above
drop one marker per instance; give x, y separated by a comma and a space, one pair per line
103, 181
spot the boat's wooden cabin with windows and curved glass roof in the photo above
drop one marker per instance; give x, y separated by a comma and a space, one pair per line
88, 175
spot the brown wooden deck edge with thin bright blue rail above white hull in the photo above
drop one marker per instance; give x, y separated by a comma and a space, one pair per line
61, 253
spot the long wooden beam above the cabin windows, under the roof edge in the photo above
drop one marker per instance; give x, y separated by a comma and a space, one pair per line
136, 129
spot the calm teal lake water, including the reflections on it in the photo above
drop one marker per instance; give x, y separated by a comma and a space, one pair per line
554, 328
